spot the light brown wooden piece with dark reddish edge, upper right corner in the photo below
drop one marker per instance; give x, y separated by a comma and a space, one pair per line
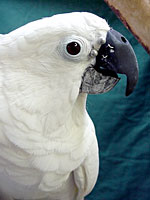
135, 14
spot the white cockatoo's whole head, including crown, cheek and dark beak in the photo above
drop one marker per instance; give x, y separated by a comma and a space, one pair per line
67, 54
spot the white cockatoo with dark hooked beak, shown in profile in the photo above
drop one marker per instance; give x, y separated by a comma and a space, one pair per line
48, 146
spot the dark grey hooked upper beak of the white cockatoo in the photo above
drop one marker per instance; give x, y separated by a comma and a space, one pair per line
117, 56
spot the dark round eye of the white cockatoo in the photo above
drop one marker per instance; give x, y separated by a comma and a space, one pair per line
73, 48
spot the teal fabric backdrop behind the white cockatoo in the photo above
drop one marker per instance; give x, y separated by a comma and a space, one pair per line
122, 123
